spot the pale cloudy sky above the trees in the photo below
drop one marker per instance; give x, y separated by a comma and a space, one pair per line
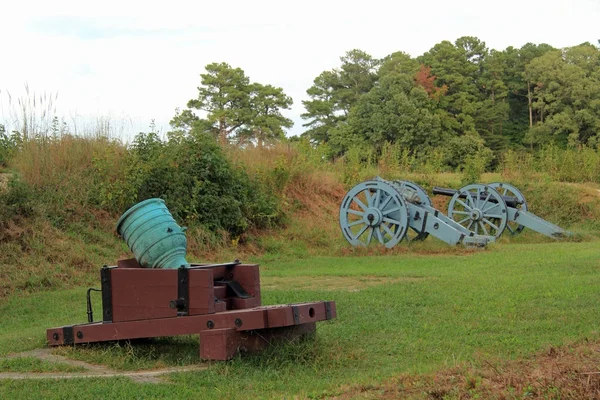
131, 62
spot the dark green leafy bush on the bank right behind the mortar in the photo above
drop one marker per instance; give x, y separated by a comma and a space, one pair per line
198, 183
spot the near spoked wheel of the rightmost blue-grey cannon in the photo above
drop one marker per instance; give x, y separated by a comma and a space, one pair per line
483, 211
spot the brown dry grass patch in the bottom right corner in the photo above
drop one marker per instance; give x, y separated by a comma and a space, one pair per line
570, 372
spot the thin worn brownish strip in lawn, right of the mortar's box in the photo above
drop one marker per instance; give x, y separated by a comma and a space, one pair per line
349, 283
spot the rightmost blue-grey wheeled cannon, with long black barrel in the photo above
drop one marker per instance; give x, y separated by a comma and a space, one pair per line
492, 208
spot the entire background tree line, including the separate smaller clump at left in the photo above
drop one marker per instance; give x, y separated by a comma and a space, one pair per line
461, 97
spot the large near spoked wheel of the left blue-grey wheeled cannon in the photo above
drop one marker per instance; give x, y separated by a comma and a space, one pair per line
373, 211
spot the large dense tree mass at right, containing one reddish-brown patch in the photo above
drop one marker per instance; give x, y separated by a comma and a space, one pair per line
459, 97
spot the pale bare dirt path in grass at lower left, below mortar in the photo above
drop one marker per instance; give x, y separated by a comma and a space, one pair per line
91, 370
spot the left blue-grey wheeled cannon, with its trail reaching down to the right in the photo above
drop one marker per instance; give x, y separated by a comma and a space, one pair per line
387, 212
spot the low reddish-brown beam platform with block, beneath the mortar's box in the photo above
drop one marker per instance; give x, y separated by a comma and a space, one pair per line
222, 334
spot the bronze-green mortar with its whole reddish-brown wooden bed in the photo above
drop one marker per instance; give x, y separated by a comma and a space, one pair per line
158, 293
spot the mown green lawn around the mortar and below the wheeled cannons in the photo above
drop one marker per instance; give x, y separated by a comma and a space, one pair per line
407, 313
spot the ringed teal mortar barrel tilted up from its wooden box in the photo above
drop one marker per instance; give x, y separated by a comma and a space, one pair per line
153, 235
